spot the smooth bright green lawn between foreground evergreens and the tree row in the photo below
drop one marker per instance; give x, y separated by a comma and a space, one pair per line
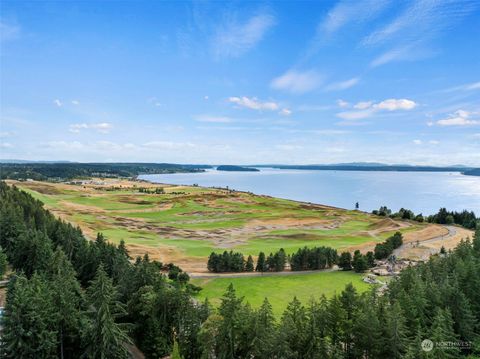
280, 290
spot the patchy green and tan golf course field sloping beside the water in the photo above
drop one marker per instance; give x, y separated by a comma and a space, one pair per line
185, 224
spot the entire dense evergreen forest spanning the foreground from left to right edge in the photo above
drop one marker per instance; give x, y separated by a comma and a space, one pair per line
70, 298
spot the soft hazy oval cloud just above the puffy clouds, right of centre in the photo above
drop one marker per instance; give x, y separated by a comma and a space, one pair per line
297, 82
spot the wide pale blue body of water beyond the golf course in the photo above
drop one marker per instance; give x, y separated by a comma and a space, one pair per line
422, 192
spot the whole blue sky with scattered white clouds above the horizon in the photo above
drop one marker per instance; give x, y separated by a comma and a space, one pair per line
241, 82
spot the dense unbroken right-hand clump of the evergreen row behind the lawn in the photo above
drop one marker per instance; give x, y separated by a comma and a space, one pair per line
313, 258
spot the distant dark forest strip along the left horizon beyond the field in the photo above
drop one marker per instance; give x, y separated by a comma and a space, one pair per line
65, 171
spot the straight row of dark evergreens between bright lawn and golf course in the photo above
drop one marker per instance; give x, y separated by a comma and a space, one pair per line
304, 259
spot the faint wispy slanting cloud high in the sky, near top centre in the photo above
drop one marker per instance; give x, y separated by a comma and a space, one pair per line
233, 38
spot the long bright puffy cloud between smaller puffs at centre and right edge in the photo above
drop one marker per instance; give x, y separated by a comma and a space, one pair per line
369, 108
